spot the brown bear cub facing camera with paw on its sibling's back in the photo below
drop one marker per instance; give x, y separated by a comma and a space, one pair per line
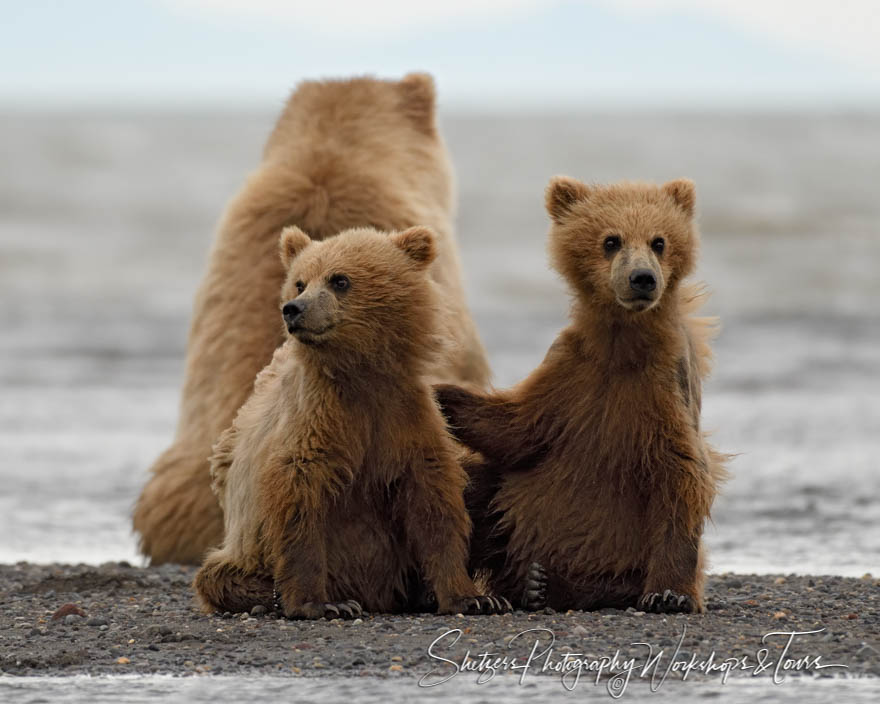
595, 465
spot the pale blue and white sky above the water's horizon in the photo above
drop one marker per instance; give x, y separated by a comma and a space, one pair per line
485, 54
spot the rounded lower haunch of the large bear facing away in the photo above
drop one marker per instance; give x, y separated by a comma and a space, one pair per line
177, 515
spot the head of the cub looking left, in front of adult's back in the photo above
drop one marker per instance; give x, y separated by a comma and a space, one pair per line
361, 292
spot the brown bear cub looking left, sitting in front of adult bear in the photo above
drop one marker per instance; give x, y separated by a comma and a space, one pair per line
340, 485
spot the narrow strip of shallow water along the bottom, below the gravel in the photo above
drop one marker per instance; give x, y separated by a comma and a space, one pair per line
129, 690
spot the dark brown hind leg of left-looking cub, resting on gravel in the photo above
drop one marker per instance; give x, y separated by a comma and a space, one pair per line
222, 586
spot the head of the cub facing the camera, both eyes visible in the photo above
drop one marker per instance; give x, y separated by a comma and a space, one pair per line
622, 245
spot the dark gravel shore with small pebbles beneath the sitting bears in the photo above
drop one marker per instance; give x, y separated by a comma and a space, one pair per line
143, 621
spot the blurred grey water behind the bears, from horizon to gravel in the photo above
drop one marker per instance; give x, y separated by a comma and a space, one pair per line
105, 221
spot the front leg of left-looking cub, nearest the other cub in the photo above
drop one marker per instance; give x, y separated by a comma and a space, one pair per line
434, 517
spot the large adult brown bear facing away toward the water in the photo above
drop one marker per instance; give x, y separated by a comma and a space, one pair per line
344, 154
